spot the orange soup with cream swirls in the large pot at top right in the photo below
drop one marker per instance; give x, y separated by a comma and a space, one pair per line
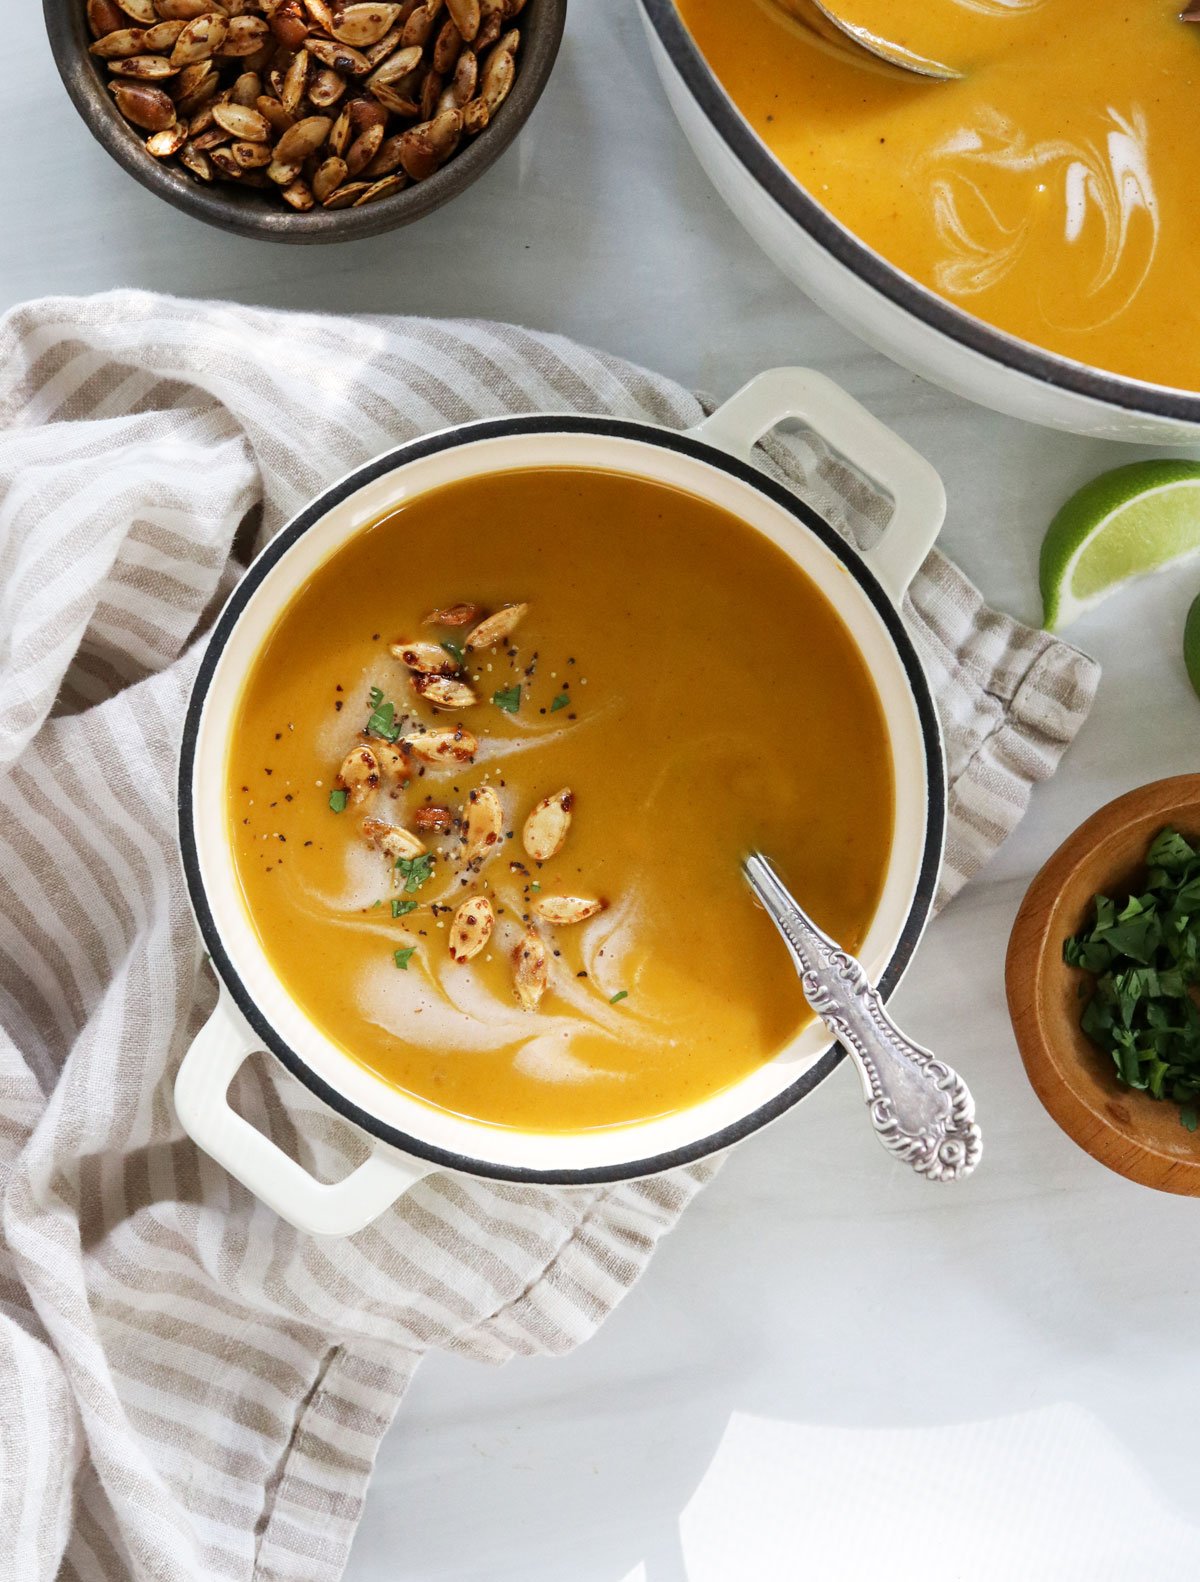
1051, 192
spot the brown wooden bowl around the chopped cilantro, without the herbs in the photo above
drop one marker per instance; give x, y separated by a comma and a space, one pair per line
1130, 1132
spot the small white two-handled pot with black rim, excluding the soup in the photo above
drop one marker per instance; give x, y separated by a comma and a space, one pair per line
257, 1012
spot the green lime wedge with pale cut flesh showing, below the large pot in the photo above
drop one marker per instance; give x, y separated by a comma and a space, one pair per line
1119, 528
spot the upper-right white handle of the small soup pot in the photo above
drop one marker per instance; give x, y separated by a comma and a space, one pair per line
891, 463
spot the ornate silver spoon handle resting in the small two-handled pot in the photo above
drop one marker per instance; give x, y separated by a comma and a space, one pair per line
921, 1110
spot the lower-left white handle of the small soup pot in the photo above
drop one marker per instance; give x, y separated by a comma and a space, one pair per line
252, 1159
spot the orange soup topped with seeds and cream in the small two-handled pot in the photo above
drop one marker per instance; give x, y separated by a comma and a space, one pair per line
492, 778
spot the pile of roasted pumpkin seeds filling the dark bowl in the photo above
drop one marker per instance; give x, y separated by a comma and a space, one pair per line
323, 104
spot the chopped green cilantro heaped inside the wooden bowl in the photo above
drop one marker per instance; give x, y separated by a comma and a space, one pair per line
1145, 961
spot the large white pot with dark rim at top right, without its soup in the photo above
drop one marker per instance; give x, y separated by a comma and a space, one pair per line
883, 305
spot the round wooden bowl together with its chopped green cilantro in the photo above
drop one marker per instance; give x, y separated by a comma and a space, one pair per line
1109, 1023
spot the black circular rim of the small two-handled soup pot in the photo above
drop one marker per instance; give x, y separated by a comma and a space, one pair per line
507, 428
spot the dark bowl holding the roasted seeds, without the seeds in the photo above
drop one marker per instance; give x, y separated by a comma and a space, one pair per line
251, 213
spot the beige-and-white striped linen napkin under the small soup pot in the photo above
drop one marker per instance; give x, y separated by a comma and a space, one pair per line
191, 1390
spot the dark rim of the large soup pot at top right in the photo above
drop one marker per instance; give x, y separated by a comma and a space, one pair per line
997, 346
